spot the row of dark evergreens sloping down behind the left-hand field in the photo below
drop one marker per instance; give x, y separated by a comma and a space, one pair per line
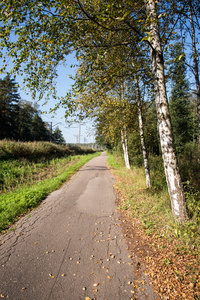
20, 120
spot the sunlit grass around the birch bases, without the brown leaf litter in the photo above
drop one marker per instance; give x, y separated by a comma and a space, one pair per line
152, 207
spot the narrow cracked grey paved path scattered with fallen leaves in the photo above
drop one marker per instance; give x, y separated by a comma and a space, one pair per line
71, 247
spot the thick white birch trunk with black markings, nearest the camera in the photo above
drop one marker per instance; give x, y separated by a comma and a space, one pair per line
173, 178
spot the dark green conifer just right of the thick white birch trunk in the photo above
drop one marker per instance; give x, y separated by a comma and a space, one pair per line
180, 106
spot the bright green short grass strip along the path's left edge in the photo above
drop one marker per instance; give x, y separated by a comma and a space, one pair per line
17, 202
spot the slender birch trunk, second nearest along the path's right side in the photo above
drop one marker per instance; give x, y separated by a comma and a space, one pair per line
145, 156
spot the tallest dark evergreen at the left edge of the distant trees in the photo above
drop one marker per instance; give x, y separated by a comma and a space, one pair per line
9, 98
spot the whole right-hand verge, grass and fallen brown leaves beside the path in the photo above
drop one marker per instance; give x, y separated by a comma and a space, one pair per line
172, 256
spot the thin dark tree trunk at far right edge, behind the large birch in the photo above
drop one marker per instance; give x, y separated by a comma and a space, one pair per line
196, 68
